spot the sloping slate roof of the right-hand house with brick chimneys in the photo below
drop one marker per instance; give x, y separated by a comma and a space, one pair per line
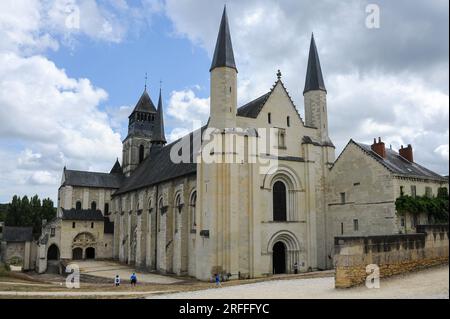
399, 165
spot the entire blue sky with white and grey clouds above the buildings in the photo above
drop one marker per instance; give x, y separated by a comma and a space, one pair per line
71, 71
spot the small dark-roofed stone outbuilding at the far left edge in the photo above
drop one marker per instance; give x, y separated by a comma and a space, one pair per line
17, 244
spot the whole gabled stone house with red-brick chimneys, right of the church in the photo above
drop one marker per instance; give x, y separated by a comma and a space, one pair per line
364, 183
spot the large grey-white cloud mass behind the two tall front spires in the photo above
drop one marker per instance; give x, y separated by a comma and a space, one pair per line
389, 82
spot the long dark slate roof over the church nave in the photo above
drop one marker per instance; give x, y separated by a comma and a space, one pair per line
159, 167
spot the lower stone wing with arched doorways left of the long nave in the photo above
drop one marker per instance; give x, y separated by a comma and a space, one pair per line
82, 228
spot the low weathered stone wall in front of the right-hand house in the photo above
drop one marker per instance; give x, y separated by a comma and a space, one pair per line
393, 254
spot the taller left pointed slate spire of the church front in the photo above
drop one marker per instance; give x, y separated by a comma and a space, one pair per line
223, 53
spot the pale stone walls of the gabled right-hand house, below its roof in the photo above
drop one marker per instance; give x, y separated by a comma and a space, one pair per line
362, 194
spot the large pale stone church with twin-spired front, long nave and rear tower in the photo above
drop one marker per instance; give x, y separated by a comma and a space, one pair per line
239, 218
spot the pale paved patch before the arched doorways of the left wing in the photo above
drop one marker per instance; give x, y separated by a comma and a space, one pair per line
109, 269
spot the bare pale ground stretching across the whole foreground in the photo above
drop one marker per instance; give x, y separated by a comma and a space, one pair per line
431, 283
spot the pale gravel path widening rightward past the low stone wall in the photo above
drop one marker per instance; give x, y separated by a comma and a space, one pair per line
427, 284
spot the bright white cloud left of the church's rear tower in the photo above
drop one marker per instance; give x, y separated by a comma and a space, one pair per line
47, 118
